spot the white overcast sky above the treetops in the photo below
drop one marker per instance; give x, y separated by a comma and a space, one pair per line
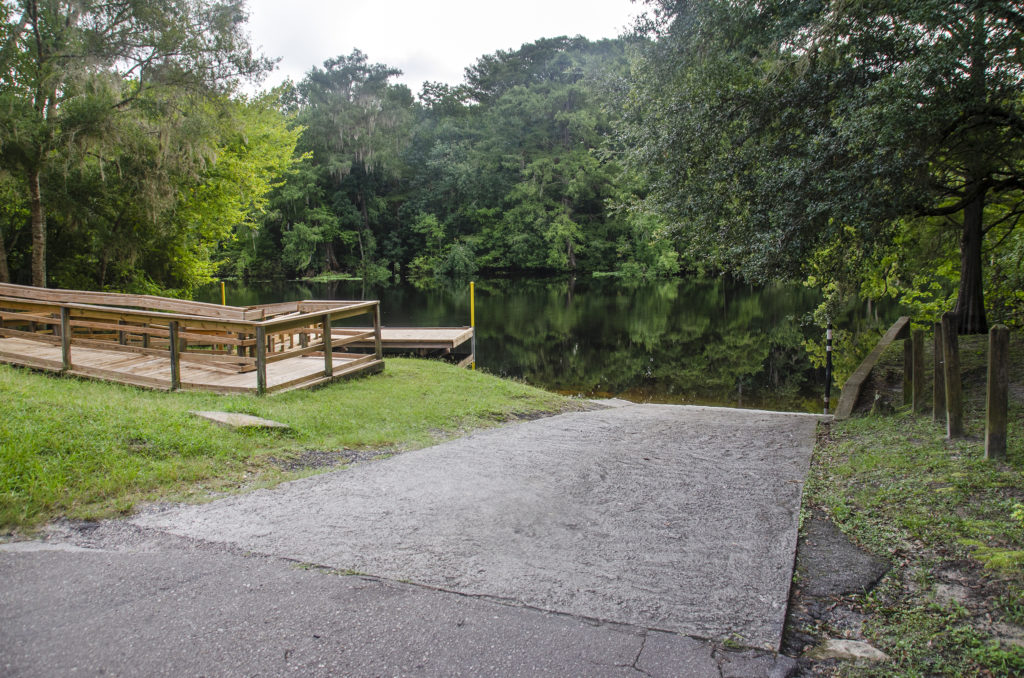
428, 39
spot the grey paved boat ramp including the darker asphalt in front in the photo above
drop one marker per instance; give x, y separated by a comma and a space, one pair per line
638, 540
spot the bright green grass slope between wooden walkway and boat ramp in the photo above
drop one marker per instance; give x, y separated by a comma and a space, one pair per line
87, 450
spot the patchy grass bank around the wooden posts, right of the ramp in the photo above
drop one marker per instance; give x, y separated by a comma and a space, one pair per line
951, 523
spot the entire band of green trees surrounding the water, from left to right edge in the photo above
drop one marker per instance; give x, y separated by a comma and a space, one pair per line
873, 148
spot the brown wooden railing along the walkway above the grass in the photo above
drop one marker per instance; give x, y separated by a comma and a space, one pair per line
225, 340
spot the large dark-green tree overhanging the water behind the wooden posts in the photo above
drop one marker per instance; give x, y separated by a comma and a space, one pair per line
800, 139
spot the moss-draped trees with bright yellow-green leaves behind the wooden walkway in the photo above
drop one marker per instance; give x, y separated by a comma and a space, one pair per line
107, 143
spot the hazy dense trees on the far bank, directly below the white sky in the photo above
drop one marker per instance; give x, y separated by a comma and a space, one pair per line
514, 171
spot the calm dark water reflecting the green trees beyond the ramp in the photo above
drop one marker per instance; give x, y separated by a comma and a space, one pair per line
689, 342
